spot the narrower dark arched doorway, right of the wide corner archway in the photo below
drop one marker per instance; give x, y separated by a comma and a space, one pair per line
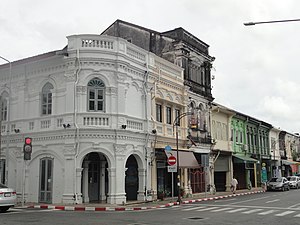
131, 179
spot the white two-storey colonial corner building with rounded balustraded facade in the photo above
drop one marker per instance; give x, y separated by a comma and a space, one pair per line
87, 110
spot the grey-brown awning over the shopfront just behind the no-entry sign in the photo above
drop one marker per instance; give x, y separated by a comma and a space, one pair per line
186, 159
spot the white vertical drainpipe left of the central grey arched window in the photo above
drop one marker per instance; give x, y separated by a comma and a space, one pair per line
77, 61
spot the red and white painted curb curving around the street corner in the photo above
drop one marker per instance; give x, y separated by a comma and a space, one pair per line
90, 208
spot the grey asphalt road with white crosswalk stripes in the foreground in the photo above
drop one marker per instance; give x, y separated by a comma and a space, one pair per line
264, 208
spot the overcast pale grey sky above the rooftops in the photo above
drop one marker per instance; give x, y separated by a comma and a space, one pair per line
256, 68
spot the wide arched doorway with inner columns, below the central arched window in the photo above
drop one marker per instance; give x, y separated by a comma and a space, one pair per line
94, 177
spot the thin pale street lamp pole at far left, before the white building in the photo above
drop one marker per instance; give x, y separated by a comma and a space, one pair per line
8, 122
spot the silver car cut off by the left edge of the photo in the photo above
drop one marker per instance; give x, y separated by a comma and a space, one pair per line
8, 198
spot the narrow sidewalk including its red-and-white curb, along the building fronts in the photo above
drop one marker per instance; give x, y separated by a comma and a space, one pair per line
137, 205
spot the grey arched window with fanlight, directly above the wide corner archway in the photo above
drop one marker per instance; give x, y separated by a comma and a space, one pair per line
96, 92
